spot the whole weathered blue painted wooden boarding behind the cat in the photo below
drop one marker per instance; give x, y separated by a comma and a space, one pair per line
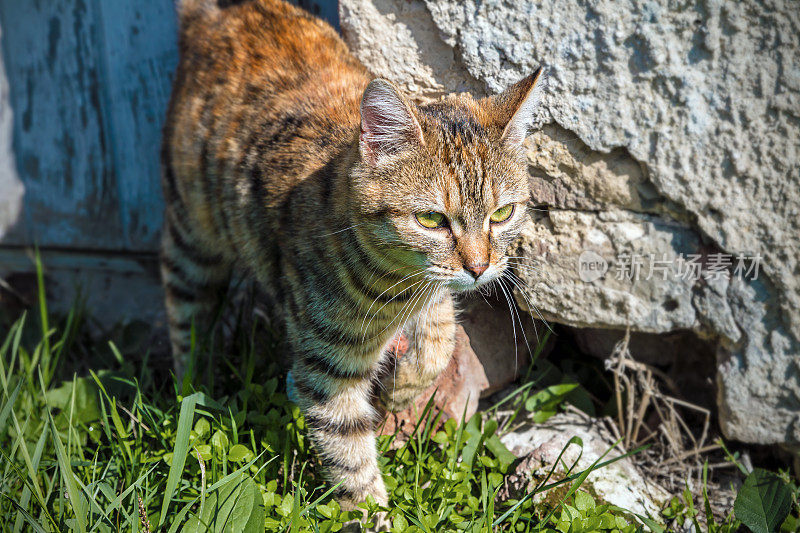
90, 81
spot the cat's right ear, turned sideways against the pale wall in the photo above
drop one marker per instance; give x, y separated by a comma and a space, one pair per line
515, 107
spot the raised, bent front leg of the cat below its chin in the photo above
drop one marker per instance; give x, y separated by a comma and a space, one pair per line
430, 342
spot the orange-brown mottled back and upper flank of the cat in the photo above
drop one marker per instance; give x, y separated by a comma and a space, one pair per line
264, 94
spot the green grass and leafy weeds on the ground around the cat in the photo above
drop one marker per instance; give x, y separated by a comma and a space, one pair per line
99, 438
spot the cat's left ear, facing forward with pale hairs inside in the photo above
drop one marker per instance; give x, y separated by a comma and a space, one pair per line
388, 124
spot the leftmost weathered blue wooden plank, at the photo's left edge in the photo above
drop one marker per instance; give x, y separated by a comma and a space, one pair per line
54, 68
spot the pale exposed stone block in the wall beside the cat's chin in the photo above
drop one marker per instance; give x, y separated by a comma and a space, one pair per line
554, 287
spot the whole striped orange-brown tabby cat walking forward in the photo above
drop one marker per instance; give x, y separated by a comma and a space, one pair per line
361, 211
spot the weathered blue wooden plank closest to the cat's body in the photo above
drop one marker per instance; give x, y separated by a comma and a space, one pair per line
140, 55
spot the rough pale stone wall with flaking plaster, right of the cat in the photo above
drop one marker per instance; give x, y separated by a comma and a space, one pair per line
669, 128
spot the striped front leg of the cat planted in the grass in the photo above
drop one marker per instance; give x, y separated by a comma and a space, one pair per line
341, 422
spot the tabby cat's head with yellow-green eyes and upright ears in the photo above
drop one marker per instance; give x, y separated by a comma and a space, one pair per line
445, 185
